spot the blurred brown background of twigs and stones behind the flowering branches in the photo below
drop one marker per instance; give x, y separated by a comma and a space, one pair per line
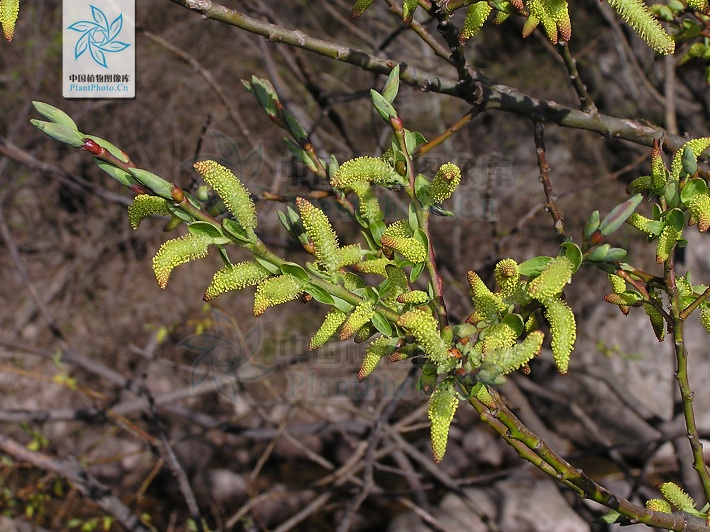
136, 384
